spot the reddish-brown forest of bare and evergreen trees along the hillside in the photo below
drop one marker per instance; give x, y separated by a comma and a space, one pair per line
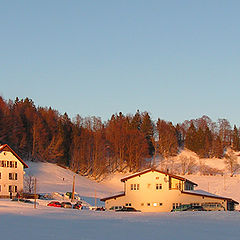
94, 148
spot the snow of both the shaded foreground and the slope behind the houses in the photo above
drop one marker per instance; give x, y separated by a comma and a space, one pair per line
21, 221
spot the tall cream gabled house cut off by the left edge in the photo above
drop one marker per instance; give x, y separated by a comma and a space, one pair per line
11, 172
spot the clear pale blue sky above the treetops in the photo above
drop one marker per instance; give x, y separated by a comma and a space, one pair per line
176, 59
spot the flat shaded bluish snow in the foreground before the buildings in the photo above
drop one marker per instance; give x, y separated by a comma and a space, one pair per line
20, 221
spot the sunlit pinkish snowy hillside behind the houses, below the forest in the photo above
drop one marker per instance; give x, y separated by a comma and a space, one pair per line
52, 178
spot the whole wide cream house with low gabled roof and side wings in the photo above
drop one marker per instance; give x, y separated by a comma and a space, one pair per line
156, 191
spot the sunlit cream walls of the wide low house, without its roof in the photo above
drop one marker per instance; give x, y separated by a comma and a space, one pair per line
144, 193
